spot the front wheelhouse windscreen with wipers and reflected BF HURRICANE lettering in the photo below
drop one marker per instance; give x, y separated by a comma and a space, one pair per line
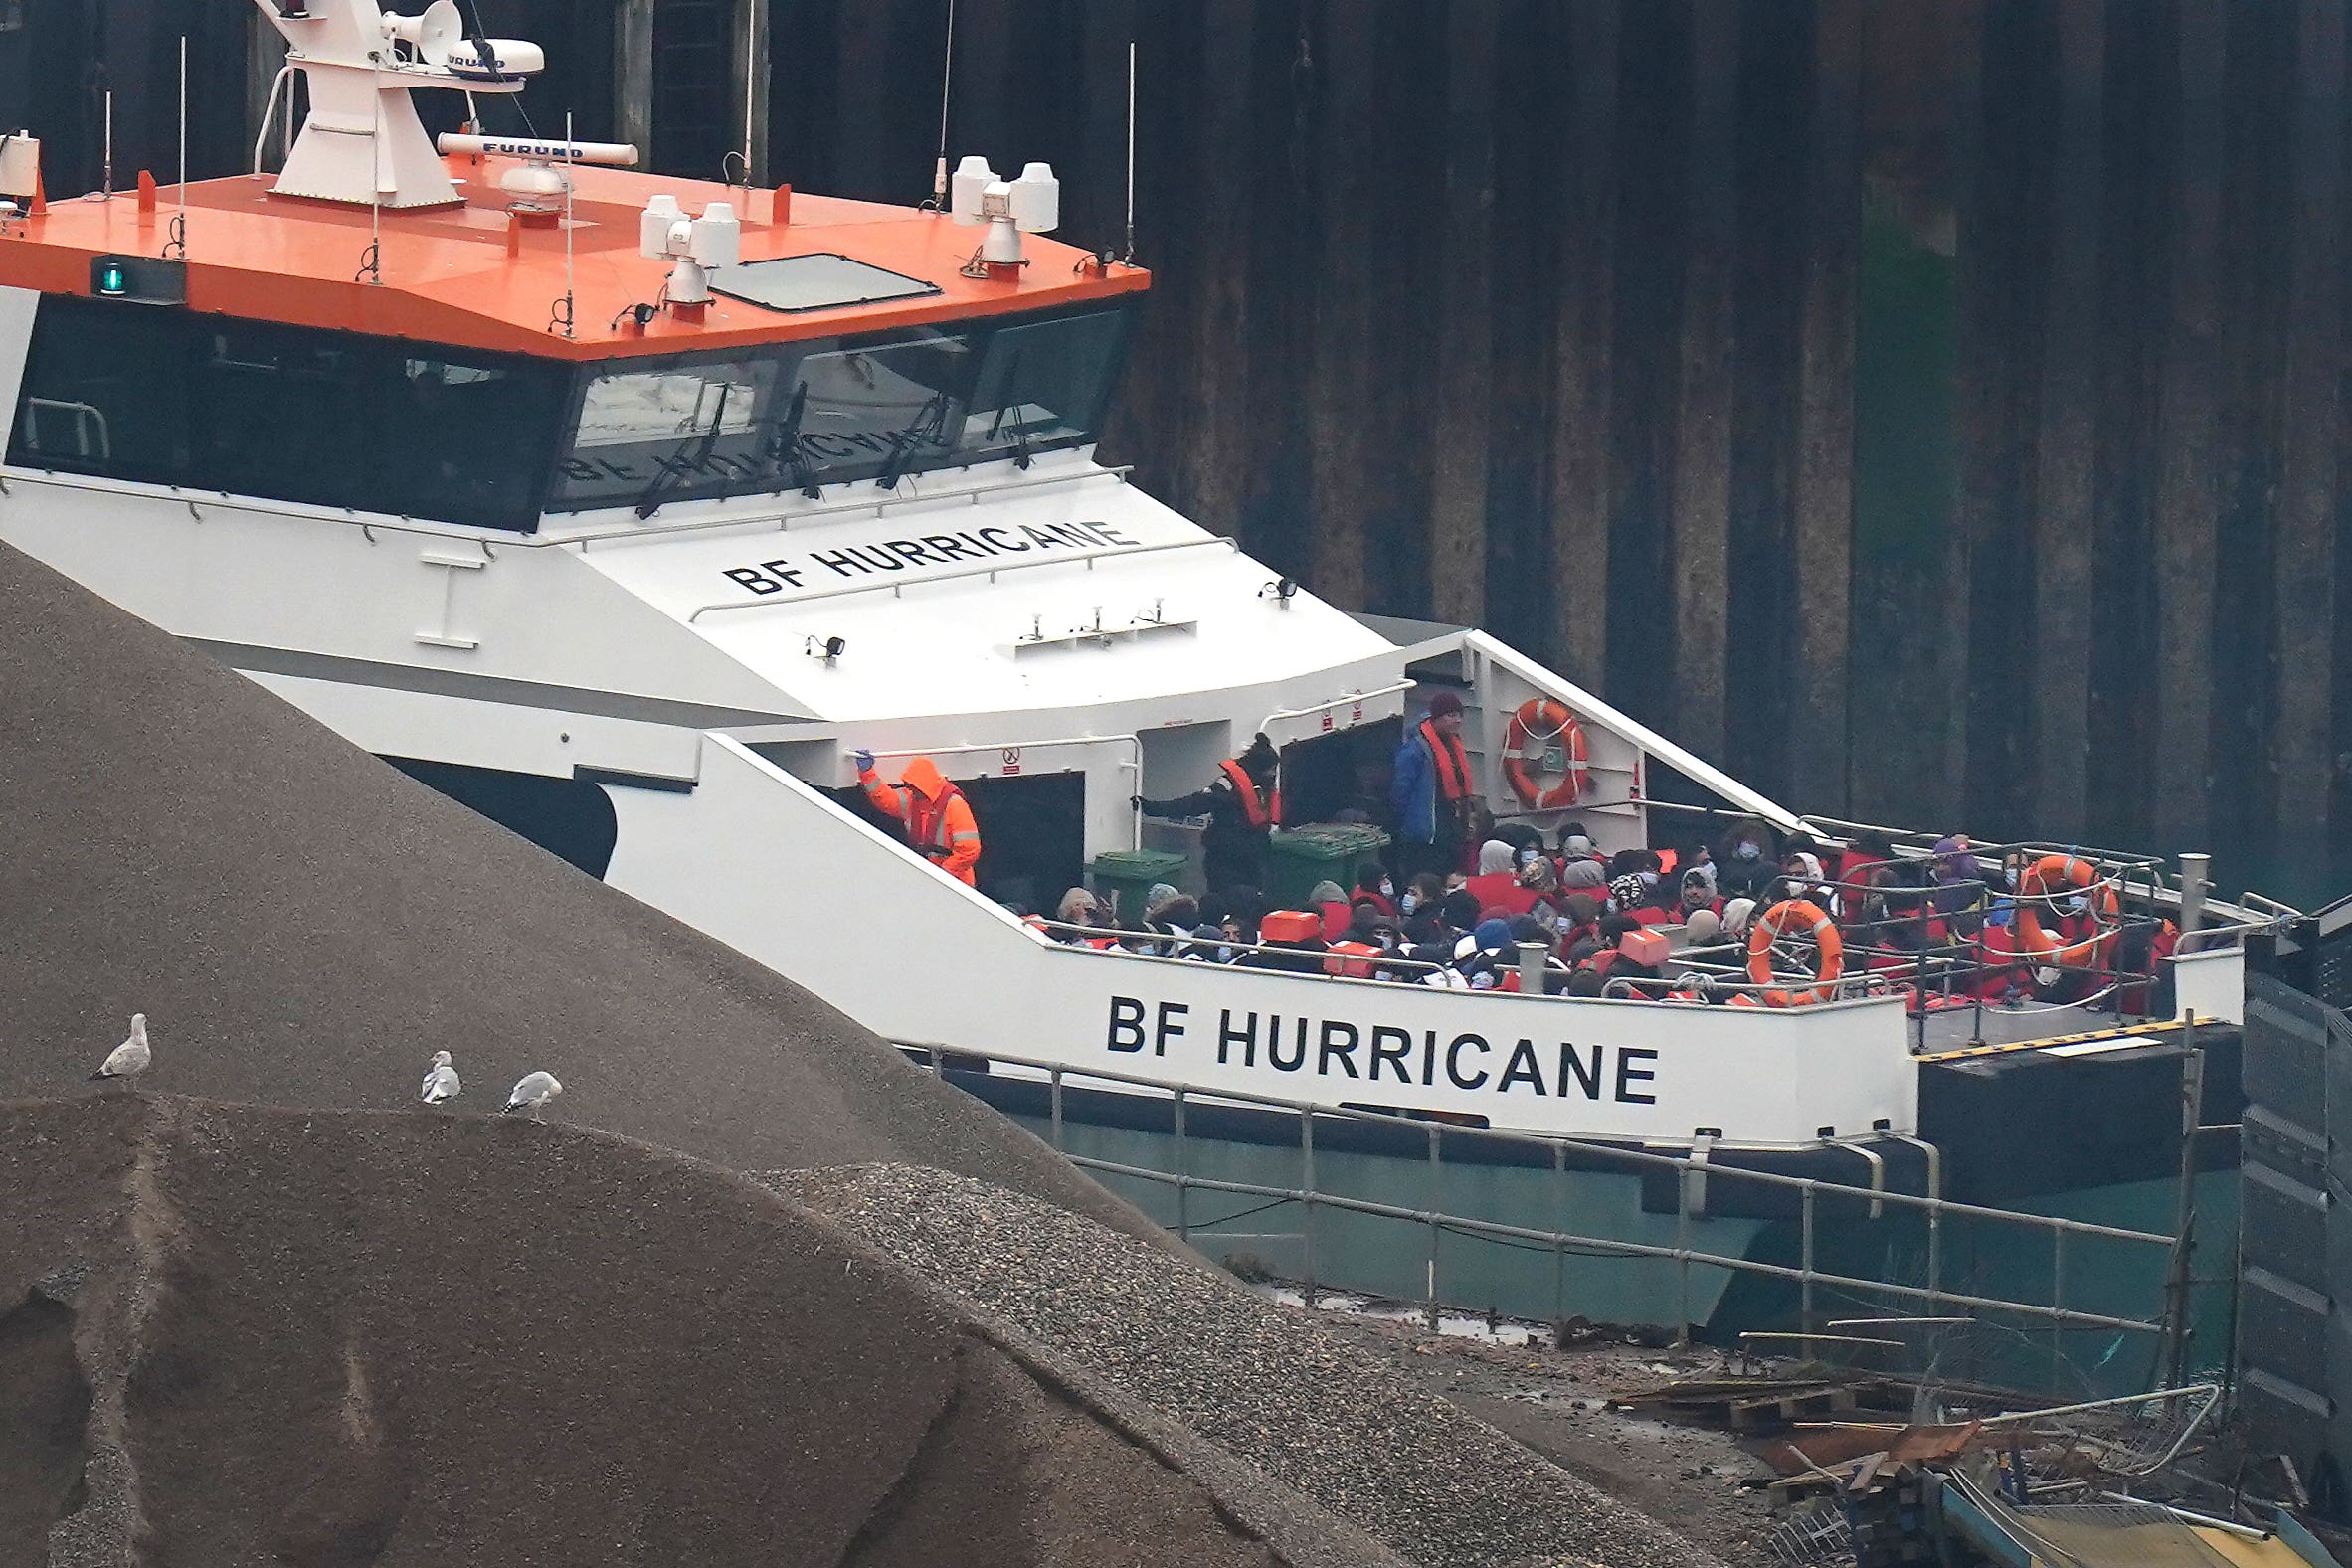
836, 410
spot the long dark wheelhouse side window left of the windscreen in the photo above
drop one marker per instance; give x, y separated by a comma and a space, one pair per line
288, 413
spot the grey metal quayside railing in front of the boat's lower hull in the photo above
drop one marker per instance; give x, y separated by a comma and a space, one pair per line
1692, 1172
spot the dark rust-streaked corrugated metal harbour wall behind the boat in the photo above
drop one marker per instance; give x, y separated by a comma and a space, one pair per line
1927, 408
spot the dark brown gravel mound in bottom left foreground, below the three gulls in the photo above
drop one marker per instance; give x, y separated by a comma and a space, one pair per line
239, 1336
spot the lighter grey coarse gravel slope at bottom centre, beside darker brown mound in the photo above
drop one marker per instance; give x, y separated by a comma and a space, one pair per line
1299, 1405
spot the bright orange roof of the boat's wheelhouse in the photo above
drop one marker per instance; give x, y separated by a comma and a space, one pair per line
448, 274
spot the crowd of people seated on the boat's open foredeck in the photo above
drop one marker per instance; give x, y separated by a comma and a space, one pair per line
1652, 923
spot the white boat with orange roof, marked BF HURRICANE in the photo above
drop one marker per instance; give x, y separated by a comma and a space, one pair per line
632, 509
